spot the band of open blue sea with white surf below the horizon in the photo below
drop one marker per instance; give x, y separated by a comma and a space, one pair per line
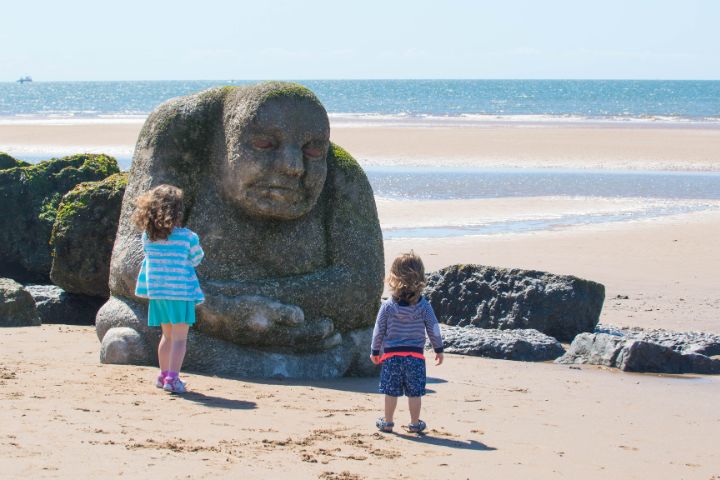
395, 102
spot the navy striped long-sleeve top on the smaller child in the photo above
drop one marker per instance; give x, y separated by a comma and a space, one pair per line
401, 327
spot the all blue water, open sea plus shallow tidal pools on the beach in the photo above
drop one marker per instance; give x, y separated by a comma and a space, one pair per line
448, 103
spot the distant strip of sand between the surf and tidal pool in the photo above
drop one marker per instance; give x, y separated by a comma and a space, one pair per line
655, 147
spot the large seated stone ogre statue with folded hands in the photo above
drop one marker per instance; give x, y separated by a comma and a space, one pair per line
293, 265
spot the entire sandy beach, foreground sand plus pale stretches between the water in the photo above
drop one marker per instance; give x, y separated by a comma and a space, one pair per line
65, 415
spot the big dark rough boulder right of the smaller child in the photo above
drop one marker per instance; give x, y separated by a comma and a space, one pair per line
558, 305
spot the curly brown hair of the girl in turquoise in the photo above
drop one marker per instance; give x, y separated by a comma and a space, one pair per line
158, 211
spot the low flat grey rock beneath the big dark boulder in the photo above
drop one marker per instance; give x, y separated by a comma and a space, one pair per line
527, 345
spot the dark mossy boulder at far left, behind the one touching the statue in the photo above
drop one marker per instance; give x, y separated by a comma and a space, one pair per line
29, 196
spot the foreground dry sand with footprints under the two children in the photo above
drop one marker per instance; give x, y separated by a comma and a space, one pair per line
64, 415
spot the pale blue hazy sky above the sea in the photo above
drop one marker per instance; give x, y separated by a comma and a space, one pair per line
307, 39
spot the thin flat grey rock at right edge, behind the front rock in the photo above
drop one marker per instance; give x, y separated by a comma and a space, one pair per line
703, 343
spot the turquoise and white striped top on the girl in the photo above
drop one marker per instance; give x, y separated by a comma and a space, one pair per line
168, 270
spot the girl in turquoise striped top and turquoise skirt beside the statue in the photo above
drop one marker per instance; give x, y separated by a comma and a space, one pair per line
167, 277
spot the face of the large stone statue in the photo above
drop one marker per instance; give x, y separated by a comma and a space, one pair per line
276, 165
